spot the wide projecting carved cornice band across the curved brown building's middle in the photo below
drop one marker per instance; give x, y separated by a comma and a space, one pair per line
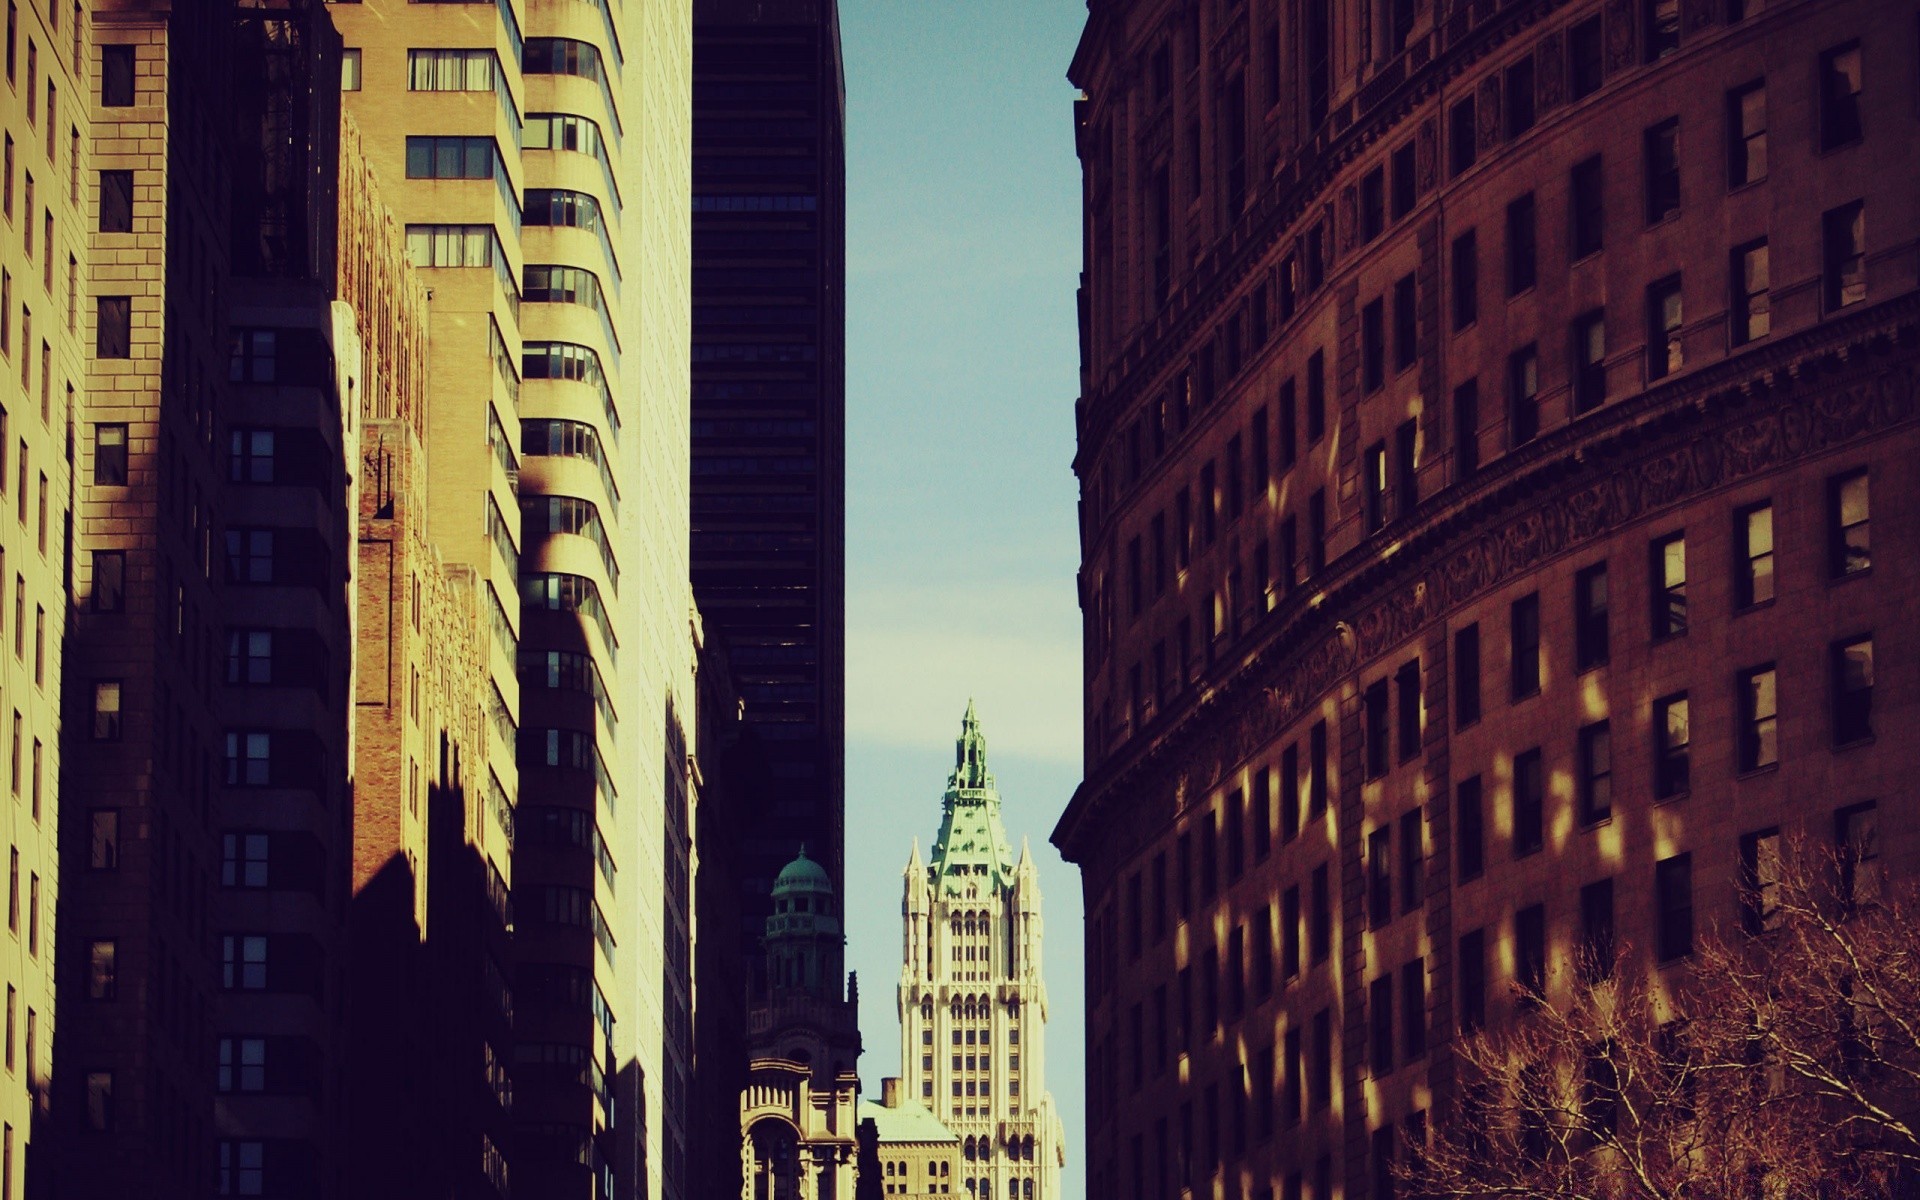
1735, 420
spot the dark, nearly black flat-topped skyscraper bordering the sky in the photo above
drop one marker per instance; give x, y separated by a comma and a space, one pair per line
769, 410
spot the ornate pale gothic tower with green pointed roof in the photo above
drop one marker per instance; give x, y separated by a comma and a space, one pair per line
972, 999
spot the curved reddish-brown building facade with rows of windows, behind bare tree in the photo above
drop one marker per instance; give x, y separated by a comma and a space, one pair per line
1499, 477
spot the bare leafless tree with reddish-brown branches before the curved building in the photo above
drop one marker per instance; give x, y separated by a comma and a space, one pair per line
1787, 1063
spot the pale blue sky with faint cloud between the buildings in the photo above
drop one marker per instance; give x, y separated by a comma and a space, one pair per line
963, 254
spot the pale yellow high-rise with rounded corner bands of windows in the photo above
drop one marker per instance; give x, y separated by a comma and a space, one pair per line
537, 160
